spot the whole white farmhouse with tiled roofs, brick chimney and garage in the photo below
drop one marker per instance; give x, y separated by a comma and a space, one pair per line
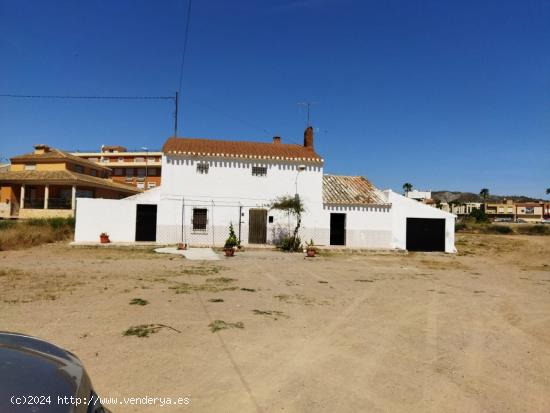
209, 184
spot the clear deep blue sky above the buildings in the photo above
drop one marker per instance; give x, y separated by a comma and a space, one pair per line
444, 94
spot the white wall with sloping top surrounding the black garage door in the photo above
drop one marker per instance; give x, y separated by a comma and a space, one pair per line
403, 208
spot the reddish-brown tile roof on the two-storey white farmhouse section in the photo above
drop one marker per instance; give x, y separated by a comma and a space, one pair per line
239, 149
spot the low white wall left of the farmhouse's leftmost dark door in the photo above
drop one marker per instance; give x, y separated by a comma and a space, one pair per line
115, 217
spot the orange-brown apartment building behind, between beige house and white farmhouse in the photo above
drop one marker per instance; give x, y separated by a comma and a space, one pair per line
141, 169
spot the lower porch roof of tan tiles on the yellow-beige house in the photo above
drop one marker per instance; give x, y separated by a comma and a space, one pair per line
63, 177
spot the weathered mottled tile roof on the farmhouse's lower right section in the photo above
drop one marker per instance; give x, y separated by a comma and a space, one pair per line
350, 190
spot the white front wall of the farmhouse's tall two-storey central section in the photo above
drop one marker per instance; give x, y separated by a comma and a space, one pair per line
230, 187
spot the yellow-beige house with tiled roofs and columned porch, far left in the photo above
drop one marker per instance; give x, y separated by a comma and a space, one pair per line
47, 182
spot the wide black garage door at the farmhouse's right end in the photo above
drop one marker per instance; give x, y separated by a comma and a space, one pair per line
425, 234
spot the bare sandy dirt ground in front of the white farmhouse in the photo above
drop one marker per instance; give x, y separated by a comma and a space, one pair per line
344, 332
